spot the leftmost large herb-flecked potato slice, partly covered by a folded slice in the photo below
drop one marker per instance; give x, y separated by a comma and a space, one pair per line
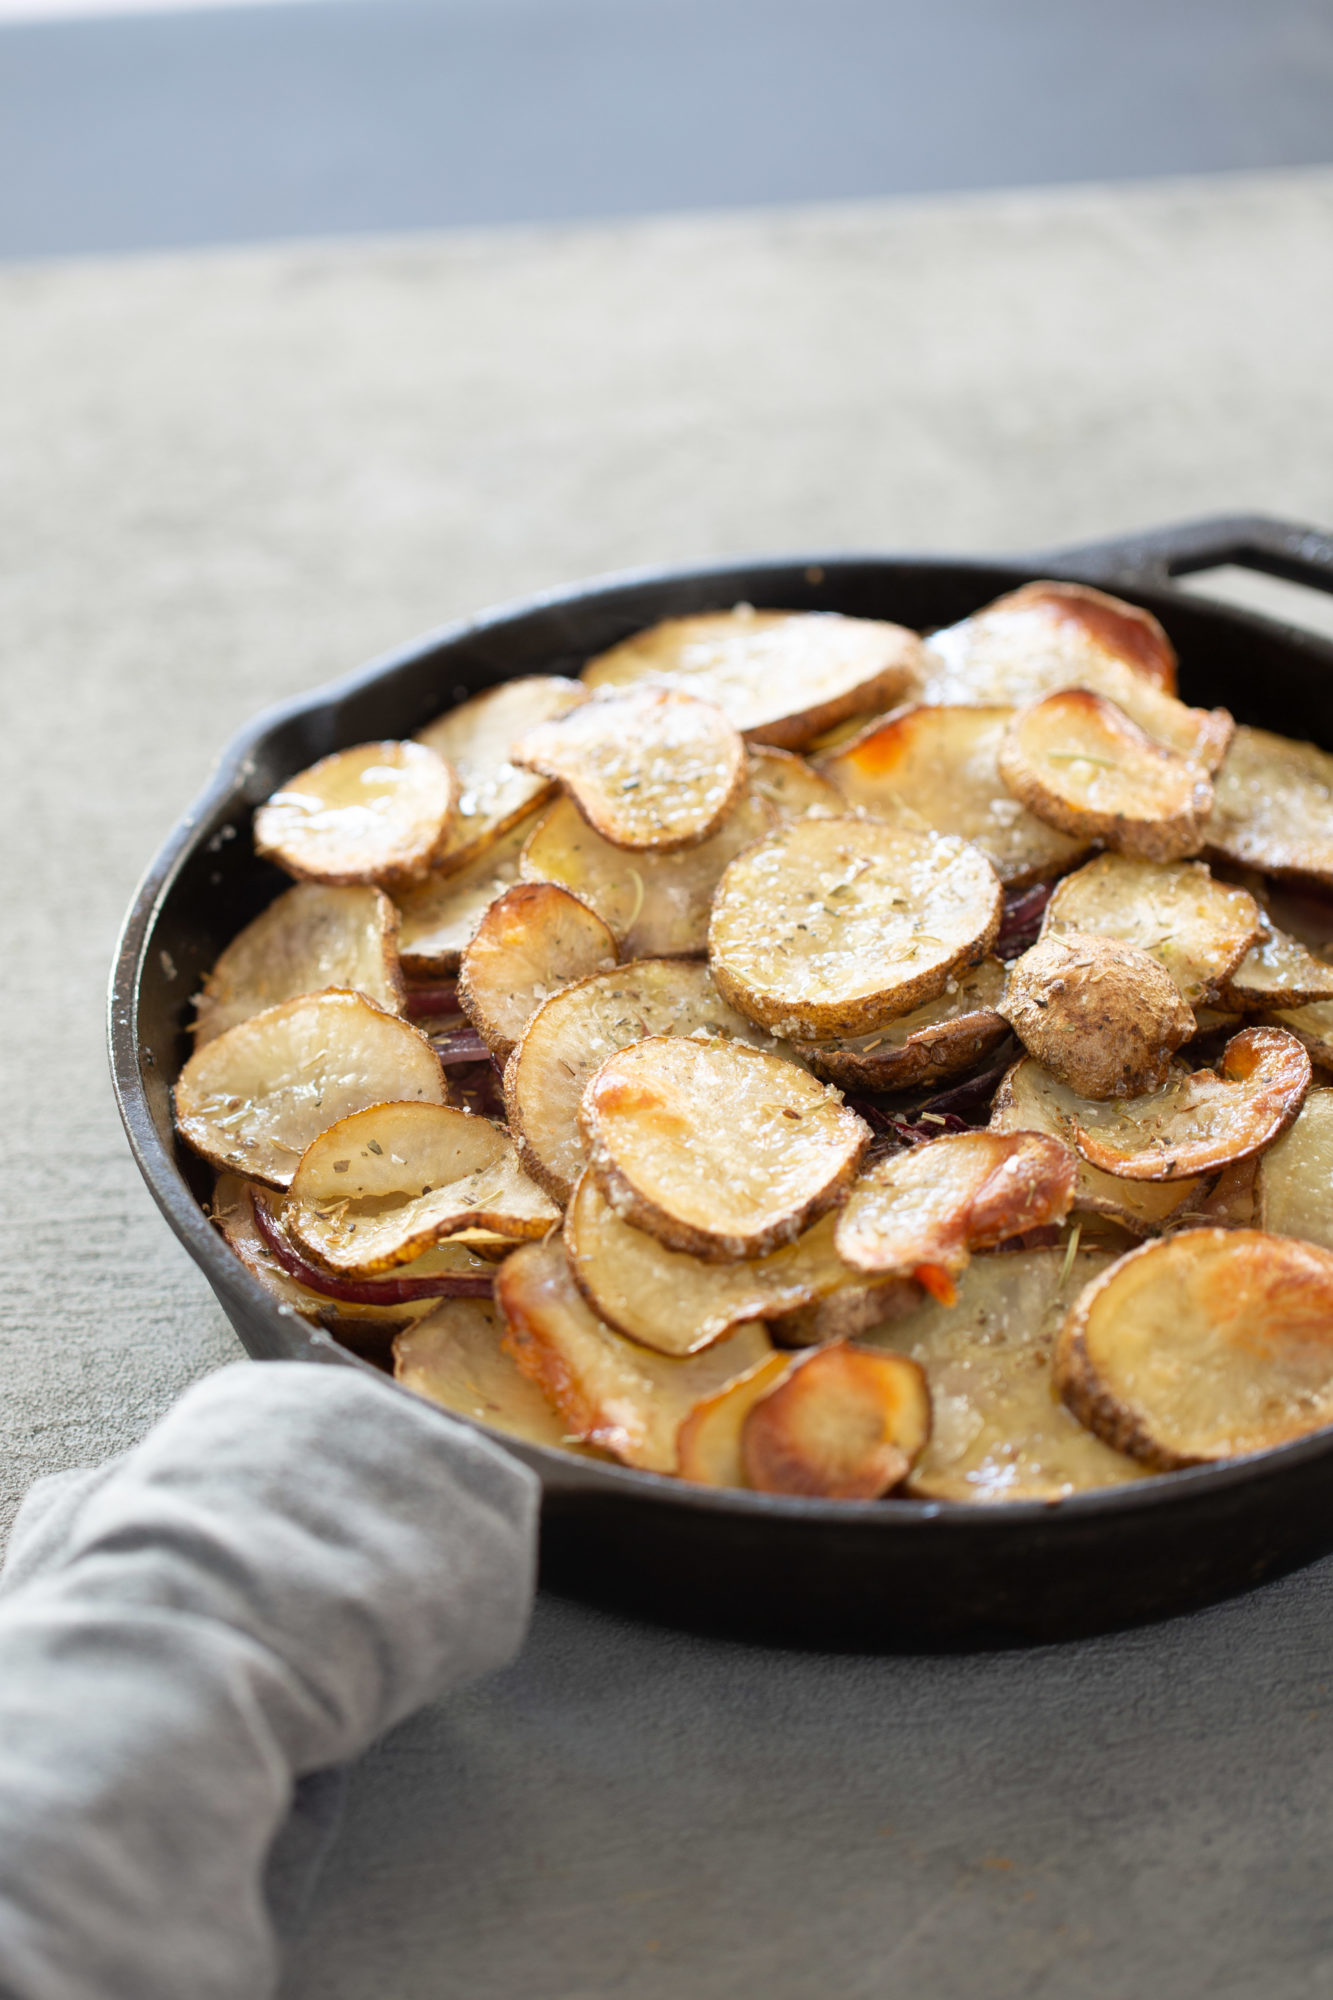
255, 1097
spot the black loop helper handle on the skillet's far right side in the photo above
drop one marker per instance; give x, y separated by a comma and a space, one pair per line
1250, 541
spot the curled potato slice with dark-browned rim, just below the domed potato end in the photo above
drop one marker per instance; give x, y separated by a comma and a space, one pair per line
1202, 1121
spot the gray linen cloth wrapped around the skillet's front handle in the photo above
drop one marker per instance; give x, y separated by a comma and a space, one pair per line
199, 1635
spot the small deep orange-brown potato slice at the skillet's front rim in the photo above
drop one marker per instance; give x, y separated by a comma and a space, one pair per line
844, 1425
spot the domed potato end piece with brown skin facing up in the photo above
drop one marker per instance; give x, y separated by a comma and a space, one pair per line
1104, 1017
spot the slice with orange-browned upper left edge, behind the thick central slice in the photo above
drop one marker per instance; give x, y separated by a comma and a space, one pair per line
942, 765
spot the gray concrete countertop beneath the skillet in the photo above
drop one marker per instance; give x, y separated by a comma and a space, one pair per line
233, 477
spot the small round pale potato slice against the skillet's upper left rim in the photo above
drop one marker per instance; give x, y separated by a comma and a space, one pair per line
379, 813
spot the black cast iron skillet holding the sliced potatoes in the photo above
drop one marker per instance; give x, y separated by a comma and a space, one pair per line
876, 1575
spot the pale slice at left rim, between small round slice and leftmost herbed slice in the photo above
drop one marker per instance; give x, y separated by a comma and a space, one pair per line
307, 941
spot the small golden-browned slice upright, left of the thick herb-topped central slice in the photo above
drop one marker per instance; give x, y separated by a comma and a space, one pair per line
531, 943
